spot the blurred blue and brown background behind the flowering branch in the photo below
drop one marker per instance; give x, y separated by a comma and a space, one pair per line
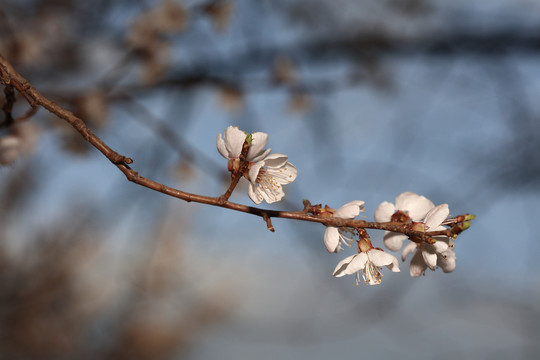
368, 98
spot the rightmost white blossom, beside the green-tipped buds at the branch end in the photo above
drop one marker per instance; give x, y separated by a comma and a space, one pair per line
428, 255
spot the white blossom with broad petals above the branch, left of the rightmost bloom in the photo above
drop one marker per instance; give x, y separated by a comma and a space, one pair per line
409, 207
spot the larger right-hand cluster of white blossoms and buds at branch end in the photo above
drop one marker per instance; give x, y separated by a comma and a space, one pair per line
427, 226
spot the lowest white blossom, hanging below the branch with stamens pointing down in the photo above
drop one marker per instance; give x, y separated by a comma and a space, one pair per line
370, 263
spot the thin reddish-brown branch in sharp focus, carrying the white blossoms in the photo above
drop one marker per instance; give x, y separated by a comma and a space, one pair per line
9, 76
